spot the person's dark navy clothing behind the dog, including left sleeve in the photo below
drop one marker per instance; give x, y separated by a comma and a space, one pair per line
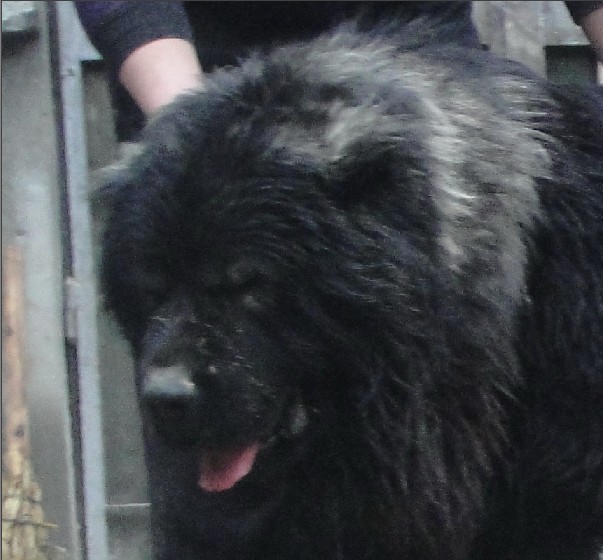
224, 32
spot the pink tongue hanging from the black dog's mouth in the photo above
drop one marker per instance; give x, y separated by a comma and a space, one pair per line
221, 470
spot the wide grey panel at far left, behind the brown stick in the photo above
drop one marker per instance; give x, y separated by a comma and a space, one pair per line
31, 212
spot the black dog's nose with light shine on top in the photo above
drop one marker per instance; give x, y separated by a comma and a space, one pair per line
170, 394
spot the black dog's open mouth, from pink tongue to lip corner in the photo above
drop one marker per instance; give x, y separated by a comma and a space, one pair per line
221, 470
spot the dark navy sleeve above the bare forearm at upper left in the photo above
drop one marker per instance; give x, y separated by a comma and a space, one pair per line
117, 28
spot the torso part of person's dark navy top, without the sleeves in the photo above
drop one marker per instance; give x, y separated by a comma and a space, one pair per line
226, 31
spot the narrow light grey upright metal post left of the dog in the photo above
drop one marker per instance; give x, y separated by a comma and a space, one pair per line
73, 47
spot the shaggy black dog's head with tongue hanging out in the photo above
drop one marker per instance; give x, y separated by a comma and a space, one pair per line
233, 267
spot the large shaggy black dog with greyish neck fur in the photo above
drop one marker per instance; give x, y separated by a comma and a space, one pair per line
365, 292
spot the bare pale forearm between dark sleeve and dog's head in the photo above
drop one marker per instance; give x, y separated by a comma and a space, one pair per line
158, 71
